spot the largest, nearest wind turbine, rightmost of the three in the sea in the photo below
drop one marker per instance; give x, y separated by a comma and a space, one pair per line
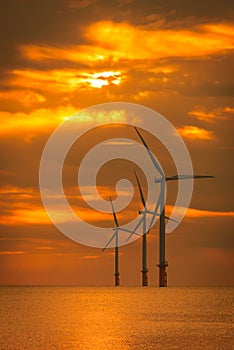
160, 204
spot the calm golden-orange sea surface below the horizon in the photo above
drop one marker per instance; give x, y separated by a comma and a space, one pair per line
121, 318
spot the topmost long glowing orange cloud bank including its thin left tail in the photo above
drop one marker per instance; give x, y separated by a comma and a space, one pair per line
114, 41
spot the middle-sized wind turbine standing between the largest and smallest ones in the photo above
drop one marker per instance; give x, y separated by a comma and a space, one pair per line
142, 221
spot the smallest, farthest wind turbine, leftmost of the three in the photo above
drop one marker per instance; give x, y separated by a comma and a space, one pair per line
116, 230
